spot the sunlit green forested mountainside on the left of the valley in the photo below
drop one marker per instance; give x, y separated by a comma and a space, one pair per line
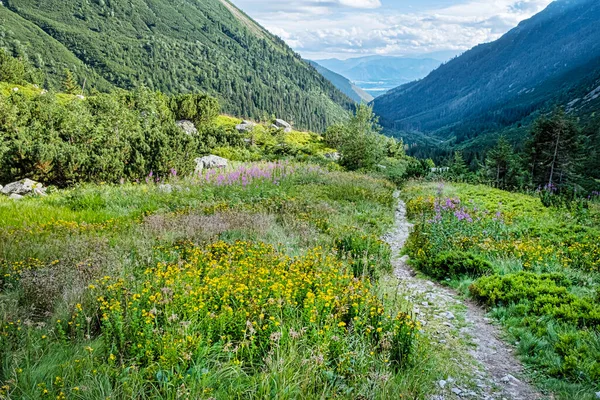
175, 47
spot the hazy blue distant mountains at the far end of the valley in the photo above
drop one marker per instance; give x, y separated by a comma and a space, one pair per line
378, 74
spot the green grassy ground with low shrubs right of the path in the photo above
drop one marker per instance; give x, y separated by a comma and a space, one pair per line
545, 282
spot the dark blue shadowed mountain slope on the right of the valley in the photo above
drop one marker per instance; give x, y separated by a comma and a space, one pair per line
551, 59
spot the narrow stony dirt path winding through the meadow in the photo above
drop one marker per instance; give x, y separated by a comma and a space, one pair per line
492, 371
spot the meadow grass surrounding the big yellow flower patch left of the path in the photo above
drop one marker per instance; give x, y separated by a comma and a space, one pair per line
52, 249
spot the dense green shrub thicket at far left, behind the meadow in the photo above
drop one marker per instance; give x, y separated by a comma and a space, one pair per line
108, 137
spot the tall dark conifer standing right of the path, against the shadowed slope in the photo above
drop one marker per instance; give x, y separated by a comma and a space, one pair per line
554, 149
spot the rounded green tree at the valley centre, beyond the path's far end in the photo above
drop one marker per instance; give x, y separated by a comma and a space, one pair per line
359, 141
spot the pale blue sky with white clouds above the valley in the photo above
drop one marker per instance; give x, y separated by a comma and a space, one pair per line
319, 29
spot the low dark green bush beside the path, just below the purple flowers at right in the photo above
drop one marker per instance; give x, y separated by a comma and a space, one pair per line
453, 264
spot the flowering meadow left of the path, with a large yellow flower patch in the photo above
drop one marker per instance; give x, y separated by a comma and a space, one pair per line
223, 287
